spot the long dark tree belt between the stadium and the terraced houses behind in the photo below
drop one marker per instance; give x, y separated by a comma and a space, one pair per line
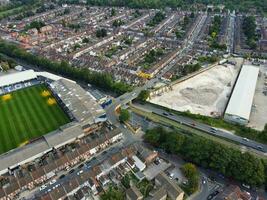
101, 80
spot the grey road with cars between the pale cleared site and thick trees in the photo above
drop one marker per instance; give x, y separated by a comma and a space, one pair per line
206, 128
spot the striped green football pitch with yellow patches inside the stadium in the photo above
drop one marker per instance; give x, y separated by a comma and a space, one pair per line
27, 114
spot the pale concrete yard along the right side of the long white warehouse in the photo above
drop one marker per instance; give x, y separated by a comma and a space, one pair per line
258, 117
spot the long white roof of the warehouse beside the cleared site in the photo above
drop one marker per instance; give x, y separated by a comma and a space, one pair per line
242, 96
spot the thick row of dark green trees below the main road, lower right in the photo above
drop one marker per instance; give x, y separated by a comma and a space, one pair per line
232, 163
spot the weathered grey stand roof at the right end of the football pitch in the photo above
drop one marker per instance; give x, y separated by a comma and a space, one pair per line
81, 104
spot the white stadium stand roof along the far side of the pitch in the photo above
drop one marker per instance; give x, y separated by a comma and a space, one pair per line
17, 77
